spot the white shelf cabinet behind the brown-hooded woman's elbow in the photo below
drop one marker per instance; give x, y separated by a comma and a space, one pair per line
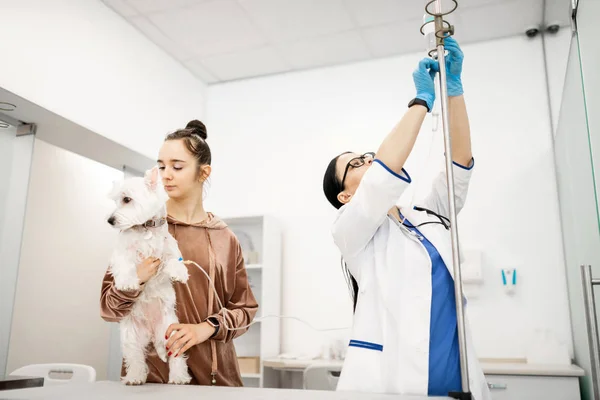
260, 238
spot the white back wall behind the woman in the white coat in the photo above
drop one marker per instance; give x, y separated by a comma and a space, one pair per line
273, 137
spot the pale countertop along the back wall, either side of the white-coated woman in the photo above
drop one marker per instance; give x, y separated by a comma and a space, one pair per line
489, 368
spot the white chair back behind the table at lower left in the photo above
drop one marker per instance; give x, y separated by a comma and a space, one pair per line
58, 374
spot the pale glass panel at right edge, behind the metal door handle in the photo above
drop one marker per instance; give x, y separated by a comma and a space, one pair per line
578, 203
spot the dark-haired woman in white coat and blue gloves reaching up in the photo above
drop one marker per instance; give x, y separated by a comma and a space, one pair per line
399, 262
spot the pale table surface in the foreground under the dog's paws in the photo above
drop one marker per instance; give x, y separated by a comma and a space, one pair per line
108, 390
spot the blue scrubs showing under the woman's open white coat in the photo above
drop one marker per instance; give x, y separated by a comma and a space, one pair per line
444, 358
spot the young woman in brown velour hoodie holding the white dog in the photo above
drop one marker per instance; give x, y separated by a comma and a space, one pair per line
185, 164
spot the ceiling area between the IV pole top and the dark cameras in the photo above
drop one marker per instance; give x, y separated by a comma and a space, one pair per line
509, 18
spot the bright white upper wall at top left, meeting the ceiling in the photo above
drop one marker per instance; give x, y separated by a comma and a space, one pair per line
80, 60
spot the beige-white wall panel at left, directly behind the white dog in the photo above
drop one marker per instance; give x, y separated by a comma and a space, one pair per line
65, 251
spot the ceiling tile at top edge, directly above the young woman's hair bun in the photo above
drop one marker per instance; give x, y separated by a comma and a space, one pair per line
209, 28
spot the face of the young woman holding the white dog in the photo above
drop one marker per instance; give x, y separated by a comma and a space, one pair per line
179, 169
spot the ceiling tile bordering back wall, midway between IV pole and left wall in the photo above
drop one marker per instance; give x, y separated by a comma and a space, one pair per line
326, 50
